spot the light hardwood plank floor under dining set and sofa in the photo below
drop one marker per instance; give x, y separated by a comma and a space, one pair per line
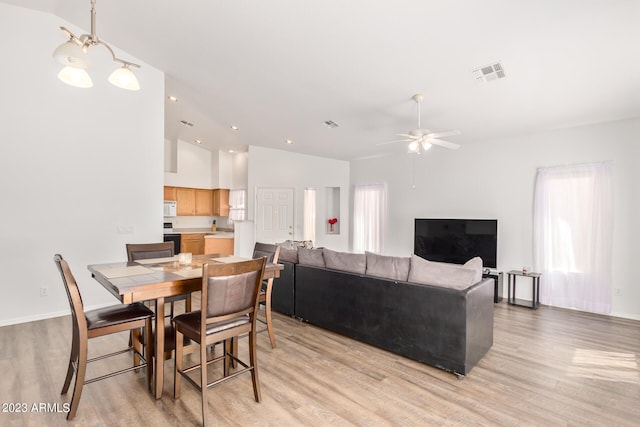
549, 367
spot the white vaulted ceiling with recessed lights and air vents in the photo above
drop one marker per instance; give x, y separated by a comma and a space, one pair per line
279, 69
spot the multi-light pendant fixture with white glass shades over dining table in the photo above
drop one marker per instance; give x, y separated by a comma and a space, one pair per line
72, 54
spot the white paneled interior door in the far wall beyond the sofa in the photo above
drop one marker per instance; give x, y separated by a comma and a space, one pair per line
274, 215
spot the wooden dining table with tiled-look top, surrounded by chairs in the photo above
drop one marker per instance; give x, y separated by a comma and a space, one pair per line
157, 279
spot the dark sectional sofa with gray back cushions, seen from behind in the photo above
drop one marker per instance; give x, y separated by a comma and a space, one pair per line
435, 313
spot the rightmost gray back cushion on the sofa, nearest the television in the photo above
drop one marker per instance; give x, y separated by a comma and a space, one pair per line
441, 273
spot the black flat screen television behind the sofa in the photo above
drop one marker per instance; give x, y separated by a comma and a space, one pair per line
457, 240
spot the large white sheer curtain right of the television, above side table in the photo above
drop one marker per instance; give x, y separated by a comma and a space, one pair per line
572, 236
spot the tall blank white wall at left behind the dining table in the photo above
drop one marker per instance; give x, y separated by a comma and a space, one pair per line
75, 164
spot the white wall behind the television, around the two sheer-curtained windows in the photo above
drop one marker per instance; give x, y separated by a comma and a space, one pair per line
495, 179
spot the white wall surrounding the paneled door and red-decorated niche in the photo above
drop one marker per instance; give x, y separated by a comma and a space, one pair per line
284, 169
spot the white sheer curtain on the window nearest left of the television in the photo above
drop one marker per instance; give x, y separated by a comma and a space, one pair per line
369, 217
